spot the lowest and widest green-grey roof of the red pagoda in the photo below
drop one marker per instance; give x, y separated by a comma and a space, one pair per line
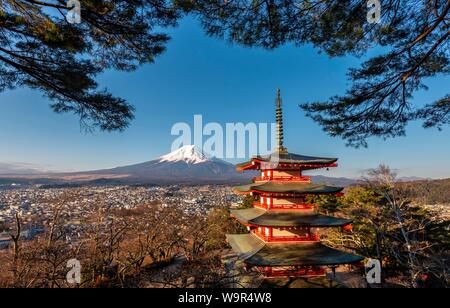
256, 252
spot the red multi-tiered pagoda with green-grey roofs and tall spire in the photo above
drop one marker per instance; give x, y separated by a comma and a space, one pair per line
283, 240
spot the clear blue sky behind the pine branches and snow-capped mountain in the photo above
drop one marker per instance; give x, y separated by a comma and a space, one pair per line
224, 83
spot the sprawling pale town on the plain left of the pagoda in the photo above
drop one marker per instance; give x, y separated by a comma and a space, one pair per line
35, 205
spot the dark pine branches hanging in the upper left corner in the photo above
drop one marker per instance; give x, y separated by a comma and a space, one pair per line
41, 49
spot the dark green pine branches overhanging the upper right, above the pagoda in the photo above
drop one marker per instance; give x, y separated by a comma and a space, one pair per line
413, 33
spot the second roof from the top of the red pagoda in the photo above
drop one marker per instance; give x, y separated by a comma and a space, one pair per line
288, 187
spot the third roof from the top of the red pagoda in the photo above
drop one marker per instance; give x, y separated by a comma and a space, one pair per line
286, 218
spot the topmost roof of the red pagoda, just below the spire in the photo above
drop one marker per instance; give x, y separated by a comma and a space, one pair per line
288, 158
